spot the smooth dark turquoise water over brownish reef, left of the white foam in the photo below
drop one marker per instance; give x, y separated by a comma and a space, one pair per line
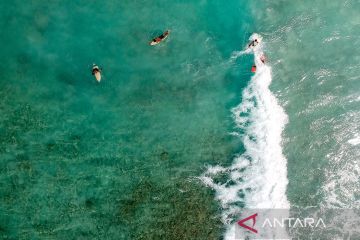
115, 160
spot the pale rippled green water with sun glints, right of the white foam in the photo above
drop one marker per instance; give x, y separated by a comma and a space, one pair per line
316, 71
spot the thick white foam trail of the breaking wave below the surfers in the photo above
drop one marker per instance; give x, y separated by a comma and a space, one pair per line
258, 177
